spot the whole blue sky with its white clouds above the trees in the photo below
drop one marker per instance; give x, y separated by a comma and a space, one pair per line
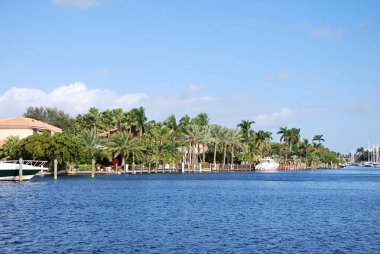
307, 64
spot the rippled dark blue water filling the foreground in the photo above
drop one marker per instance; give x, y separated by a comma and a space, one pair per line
325, 211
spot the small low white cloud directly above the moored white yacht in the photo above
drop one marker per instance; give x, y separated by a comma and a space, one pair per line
275, 119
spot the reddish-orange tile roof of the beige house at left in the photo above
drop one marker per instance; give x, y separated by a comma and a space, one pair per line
17, 122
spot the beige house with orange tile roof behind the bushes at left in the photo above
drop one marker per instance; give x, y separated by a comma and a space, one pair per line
23, 127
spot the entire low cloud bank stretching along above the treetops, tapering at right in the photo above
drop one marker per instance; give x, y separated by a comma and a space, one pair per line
77, 98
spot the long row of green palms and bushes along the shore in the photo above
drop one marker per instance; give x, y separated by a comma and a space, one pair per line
134, 139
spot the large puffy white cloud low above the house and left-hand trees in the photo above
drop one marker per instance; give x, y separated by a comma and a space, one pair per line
77, 98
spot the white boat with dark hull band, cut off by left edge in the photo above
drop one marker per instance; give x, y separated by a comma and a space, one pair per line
9, 170
